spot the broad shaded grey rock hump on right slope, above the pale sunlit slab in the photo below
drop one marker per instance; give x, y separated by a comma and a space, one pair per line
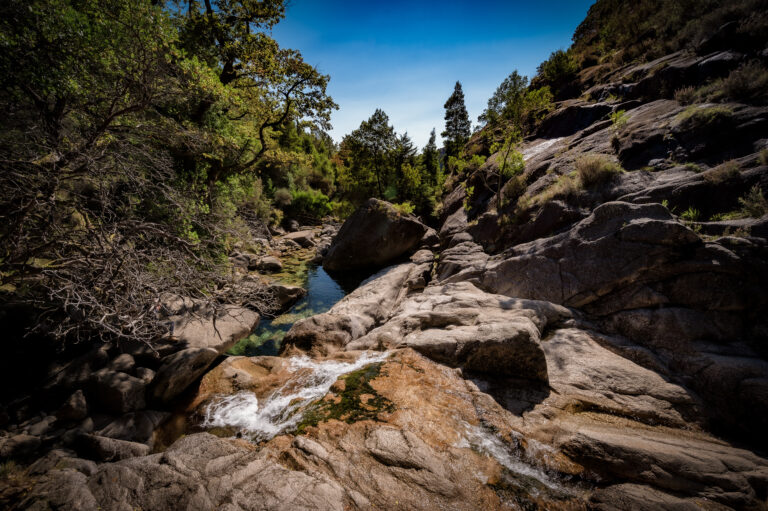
616, 245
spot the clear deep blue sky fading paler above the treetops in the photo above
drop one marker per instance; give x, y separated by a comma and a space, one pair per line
405, 56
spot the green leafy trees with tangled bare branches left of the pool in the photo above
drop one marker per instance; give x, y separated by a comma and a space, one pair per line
134, 137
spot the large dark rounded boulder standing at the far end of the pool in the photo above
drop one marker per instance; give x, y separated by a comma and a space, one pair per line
373, 236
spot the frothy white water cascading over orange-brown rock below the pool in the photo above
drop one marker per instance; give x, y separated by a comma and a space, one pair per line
281, 411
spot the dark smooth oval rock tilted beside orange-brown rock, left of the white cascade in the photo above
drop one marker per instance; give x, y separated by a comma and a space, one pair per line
179, 371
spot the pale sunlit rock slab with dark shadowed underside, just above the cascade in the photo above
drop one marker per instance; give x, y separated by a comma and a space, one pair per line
462, 326
